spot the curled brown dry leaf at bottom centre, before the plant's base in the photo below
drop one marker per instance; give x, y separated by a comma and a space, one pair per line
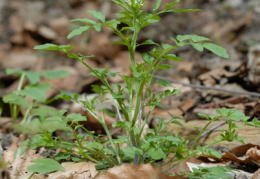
127, 171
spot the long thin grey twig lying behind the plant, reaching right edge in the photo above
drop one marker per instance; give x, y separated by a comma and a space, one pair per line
209, 88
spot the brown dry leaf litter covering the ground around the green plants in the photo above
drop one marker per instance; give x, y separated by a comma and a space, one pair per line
29, 28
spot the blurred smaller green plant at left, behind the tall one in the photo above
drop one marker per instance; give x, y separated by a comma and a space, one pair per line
34, 91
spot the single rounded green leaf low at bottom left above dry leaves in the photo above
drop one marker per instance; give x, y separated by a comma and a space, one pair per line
45, 166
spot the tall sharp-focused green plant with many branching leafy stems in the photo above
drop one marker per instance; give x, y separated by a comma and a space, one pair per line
152, 146
